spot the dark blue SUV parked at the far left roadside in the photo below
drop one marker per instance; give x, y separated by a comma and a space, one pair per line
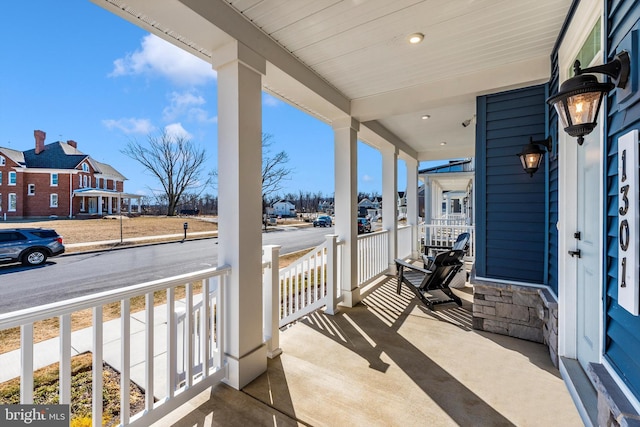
30, 246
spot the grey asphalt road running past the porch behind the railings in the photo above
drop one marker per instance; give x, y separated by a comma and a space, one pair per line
75, 275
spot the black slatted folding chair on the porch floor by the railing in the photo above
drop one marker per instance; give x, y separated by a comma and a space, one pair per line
432, 286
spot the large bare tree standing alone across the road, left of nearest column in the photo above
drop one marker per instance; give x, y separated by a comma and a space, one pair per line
174, 160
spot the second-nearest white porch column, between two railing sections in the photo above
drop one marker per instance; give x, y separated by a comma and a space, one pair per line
346, 204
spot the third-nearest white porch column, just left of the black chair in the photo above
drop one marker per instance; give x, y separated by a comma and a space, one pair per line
389, 205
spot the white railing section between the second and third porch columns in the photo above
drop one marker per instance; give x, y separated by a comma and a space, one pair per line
373, 256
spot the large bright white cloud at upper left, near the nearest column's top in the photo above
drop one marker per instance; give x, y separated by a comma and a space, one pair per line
158, 57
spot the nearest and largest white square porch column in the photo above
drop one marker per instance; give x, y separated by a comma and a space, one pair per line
240, 73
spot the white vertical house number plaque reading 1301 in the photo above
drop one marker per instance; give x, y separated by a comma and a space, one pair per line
628, 293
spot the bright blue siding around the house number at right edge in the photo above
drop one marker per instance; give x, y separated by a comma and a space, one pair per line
622, 344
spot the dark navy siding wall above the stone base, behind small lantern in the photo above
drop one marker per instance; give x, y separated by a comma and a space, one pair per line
510, 205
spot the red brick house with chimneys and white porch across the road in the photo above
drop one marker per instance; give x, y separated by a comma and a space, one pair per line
58, 180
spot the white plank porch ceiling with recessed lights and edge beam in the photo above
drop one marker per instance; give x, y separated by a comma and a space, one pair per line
332, 57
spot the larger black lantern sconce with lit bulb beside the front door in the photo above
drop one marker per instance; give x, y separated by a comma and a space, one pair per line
579, 98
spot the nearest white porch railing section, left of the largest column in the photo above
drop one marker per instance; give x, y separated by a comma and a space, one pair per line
201, 355
